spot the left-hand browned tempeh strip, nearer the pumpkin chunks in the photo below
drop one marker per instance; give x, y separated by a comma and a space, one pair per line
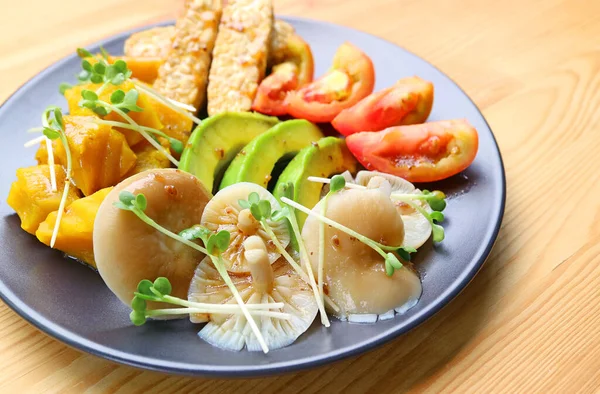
184, 74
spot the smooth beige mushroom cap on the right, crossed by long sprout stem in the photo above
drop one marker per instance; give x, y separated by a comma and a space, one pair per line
352, 270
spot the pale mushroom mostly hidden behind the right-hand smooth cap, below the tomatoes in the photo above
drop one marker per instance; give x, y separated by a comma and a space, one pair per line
417, 229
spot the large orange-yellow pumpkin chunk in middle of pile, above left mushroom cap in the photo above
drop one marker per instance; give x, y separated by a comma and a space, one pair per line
100, 155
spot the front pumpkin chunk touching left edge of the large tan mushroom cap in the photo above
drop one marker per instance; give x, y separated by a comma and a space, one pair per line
76, 227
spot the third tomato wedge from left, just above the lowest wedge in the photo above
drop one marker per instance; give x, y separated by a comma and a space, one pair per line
409, 101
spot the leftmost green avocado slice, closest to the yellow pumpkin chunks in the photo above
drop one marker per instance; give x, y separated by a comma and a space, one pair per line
217, 140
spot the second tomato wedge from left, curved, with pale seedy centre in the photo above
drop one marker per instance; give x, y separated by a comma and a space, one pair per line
350, 79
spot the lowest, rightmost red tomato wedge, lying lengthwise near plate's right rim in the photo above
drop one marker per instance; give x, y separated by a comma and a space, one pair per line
418, 153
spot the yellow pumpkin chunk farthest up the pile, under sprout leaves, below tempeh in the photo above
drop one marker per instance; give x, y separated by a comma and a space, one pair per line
148, 117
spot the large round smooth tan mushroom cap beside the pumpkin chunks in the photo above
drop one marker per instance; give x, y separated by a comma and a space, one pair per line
128, 250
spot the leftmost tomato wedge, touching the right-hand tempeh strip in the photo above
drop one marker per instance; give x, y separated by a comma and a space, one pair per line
295, 70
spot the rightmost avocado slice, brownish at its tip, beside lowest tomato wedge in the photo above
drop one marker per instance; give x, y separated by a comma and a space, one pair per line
329, 156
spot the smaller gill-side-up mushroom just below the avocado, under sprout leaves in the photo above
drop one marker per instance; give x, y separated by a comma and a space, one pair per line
222, 213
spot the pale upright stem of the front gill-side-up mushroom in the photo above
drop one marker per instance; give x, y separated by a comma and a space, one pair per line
260, 268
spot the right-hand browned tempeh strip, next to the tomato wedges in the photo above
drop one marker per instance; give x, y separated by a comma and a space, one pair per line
240, 55
